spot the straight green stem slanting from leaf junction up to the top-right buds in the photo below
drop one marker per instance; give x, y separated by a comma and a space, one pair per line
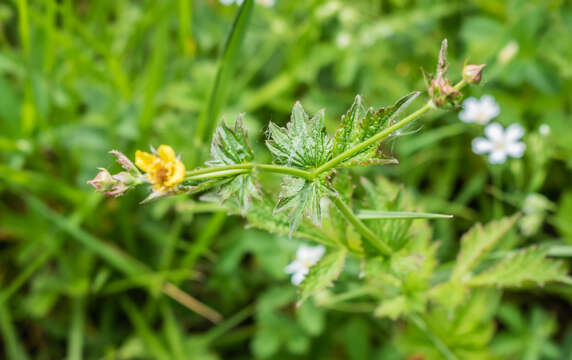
379, 136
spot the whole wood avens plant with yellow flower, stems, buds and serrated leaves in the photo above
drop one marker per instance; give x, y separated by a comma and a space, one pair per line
316, 202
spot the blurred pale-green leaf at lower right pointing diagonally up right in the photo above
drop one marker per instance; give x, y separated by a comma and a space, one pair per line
477, 242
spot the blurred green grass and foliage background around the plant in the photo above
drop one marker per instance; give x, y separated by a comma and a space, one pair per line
81, 276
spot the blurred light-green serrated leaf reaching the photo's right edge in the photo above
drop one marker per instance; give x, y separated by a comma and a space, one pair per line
525, 266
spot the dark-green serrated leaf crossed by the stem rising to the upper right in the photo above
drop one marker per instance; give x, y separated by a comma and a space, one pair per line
359, 124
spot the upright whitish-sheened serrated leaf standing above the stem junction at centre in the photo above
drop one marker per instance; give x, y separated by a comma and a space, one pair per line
303, 143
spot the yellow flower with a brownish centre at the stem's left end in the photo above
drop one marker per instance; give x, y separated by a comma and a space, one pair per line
163, 169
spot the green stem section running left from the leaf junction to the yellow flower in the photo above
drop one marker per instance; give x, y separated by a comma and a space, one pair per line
226, 170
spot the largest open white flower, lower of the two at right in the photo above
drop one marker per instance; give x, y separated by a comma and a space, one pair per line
500, 143
